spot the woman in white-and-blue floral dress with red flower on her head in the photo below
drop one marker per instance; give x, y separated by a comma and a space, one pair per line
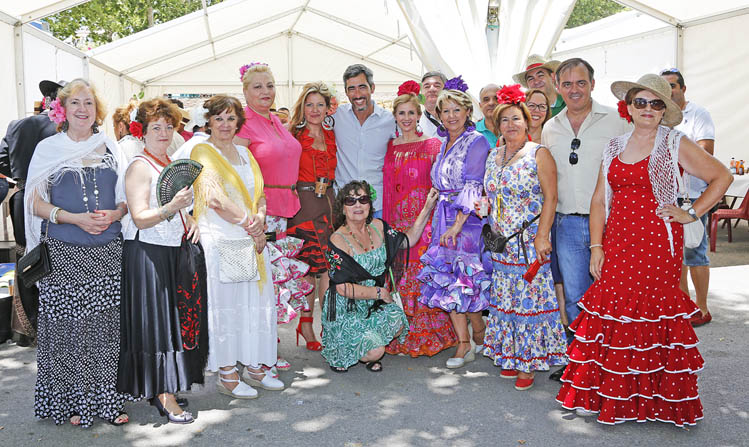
524, 331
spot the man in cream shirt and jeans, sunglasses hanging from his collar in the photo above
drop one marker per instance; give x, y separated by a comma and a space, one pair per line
576, 138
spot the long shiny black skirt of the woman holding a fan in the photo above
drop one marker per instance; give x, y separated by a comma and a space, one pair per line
153, 359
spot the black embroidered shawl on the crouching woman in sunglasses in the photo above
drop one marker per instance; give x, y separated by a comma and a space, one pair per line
345, 269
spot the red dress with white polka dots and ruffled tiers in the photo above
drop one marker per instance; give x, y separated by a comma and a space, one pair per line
635, 355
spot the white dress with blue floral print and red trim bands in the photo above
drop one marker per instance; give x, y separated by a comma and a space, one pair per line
524, 331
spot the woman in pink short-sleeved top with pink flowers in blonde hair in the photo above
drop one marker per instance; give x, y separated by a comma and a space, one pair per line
278, 153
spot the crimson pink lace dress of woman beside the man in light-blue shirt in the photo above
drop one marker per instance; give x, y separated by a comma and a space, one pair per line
406, 185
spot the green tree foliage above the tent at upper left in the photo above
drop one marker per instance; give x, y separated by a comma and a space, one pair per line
108, 20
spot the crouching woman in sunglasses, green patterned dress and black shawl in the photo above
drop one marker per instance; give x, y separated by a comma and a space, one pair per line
360, 315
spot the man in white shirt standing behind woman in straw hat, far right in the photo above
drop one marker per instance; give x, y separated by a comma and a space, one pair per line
698, 126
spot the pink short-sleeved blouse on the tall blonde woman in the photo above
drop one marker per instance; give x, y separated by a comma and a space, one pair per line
277, 152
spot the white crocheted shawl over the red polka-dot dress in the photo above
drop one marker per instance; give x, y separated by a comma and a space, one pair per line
661, 170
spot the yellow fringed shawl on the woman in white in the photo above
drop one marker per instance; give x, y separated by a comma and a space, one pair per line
220, 176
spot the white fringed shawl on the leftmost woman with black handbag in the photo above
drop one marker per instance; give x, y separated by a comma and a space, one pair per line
53, 157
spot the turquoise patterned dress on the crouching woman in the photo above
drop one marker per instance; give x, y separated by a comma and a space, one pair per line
351, 335
